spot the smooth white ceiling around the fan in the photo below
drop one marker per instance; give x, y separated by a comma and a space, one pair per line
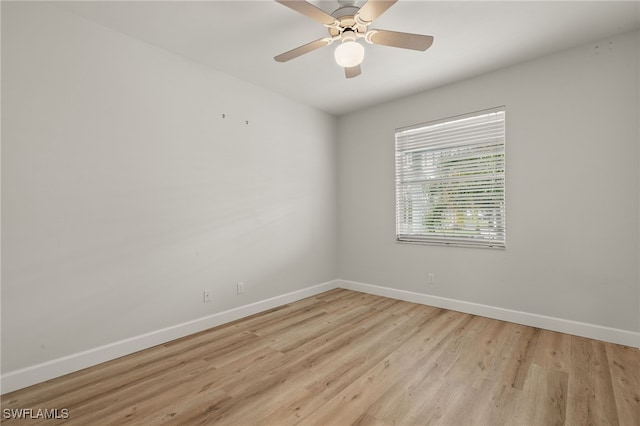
241, 38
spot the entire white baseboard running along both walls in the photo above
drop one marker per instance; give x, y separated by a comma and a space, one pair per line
28, 376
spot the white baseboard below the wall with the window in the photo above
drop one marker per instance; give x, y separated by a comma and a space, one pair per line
613, 335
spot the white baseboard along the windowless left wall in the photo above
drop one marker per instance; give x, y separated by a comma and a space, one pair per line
28, 376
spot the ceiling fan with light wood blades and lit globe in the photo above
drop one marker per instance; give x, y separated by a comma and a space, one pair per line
348, 24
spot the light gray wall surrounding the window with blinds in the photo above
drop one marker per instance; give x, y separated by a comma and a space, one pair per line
572, 190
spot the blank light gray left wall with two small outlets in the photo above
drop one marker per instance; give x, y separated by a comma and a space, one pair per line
125, 193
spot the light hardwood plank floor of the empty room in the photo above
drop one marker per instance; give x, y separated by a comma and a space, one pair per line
344, 357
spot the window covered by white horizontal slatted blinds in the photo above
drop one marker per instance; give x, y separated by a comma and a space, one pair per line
450, 179
